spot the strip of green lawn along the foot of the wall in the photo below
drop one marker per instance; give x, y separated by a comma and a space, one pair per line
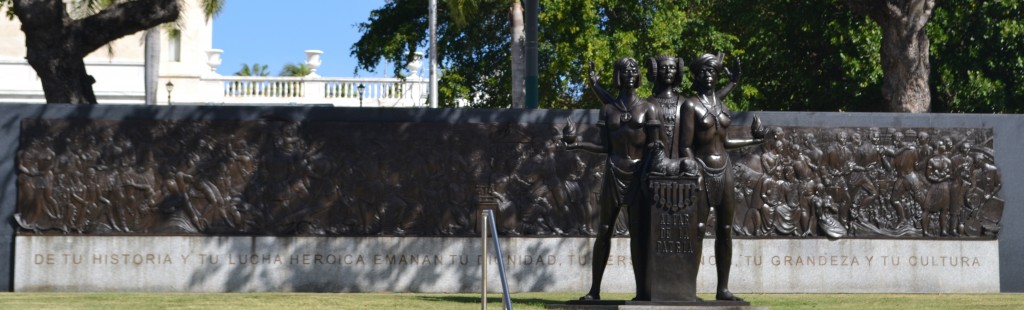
308, 301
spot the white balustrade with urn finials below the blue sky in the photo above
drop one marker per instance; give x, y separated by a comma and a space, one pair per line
390, 93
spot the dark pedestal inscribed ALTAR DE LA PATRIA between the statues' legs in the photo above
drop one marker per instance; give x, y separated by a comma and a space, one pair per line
675, 239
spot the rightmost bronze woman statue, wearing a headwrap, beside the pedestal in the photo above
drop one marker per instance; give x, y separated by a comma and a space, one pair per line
704, 137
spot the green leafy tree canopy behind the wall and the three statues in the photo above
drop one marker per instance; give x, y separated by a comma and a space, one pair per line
797, 55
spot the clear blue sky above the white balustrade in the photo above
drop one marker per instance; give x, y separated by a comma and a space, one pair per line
275, 33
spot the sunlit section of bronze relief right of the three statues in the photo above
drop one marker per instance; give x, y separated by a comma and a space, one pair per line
870, 183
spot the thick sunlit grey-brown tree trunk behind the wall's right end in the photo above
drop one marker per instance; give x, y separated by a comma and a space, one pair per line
905, 51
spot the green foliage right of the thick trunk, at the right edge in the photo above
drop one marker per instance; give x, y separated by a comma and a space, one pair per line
978, 57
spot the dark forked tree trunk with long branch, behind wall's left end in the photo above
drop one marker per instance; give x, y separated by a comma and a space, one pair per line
56, 45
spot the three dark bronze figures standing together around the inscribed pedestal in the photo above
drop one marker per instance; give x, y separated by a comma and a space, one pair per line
690, 135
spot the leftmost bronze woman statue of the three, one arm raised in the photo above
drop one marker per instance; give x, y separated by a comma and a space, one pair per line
626, 126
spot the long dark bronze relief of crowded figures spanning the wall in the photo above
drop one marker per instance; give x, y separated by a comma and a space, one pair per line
279, 178
